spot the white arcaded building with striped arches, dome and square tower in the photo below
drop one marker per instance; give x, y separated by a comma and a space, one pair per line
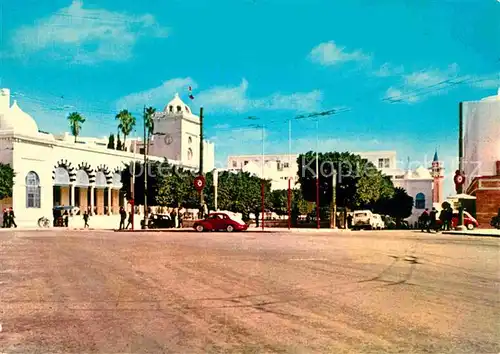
54, 170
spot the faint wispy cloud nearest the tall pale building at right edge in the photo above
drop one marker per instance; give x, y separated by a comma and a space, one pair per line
420, 85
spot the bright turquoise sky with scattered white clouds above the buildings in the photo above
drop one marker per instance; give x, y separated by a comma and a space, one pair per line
392, 71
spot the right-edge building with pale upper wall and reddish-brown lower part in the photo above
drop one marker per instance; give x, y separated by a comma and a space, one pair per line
482, 155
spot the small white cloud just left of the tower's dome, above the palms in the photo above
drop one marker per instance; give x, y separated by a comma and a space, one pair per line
157, 96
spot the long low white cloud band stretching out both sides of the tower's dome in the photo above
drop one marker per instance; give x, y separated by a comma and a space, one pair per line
223, 98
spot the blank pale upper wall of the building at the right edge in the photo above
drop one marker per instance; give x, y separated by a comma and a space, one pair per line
481, 138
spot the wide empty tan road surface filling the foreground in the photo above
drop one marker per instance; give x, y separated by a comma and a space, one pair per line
362, 292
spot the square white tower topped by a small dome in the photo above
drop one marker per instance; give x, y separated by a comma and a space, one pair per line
176, 133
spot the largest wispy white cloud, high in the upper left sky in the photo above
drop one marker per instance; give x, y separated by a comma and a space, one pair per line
85, 36
